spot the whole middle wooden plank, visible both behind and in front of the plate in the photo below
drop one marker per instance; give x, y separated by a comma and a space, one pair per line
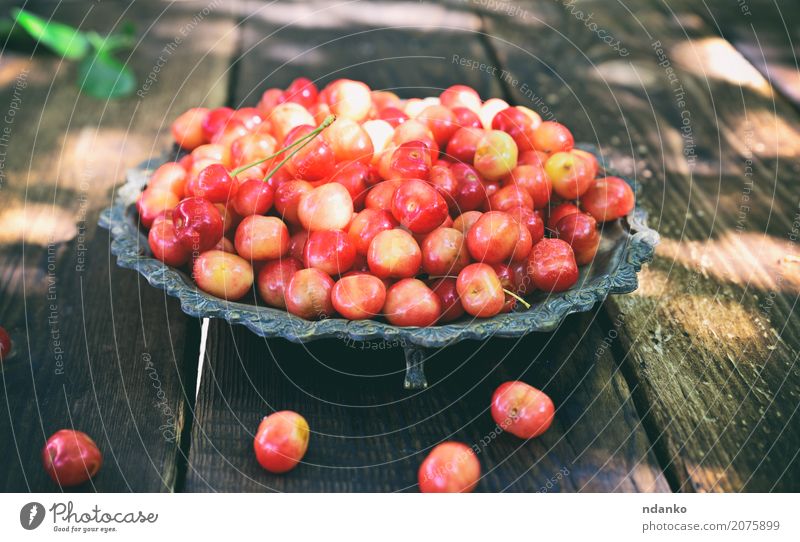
368, 433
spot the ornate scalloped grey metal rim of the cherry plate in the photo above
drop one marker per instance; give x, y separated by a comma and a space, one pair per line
625, 246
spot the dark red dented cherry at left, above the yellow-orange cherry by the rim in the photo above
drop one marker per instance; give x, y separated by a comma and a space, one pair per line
198, 224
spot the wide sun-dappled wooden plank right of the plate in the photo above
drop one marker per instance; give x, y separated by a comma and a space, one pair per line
711, 337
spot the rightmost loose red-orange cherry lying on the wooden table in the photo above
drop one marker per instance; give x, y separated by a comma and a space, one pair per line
522, 410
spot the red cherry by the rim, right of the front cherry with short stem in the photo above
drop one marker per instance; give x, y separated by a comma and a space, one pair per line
552, 265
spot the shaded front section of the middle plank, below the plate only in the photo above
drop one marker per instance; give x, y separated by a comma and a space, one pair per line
369, 434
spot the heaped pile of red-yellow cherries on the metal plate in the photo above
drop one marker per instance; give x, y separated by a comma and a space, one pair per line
356, 202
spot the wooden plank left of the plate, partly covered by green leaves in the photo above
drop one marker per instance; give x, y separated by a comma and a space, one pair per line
97, 349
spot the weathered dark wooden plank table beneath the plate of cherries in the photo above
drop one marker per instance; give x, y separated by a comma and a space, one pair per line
690, 384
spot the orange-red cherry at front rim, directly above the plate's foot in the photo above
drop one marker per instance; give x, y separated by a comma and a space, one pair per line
409, 302
